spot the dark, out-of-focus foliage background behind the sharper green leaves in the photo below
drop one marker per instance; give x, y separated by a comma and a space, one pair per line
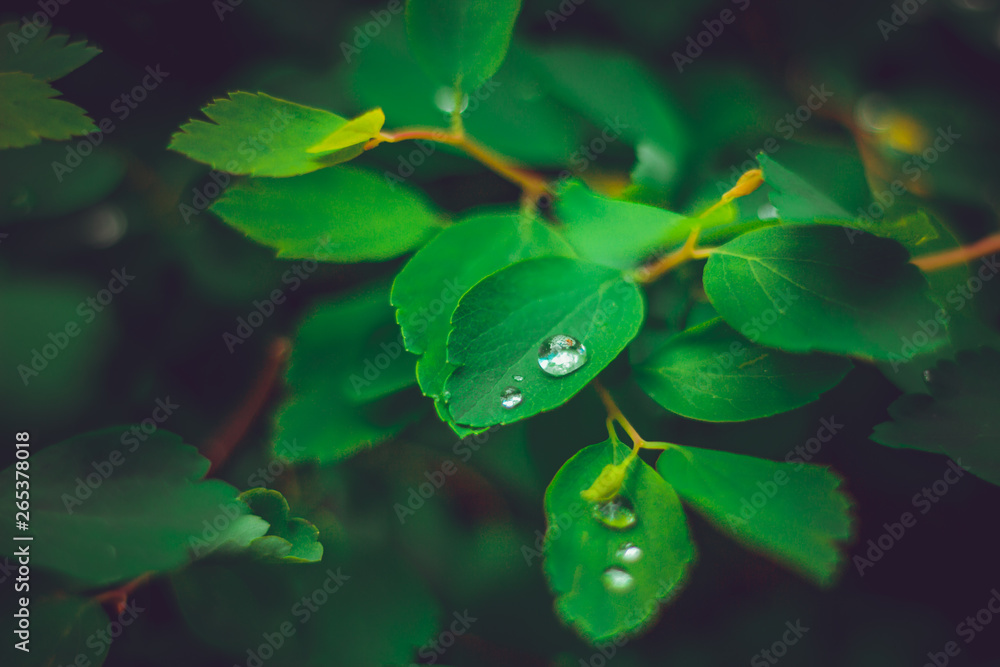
572, 66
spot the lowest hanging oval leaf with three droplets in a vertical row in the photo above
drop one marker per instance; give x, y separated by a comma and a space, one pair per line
581, 547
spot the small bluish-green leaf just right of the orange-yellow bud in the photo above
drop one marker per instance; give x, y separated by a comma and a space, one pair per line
815, 183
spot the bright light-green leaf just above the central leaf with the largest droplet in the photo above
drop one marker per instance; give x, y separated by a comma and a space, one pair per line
616, 233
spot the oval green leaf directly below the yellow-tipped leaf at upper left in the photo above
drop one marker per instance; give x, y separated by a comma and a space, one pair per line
336, 215
